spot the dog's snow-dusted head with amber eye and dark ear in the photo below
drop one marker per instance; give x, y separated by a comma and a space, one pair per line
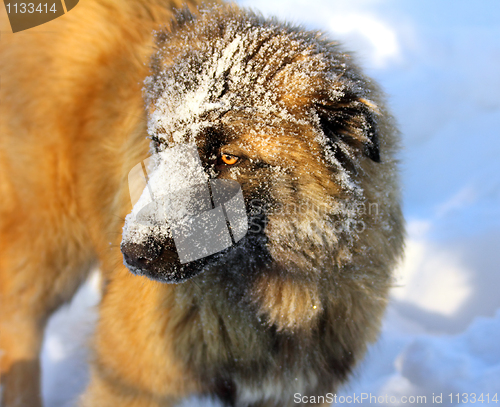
279, 112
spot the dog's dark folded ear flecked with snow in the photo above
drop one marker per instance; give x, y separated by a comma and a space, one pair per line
350, 123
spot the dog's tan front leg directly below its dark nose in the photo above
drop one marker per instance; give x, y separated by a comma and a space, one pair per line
134, 361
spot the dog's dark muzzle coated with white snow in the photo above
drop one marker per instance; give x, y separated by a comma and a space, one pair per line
182, 218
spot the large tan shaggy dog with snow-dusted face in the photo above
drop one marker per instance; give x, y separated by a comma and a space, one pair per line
235, 108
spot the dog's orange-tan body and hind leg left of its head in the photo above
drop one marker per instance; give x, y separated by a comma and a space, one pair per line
60, 84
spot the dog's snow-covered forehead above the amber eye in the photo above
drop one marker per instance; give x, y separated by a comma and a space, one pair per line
251, 72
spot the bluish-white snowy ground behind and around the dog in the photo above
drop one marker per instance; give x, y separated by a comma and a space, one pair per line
439, 62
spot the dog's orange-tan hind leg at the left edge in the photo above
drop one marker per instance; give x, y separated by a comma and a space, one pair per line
41, 266
